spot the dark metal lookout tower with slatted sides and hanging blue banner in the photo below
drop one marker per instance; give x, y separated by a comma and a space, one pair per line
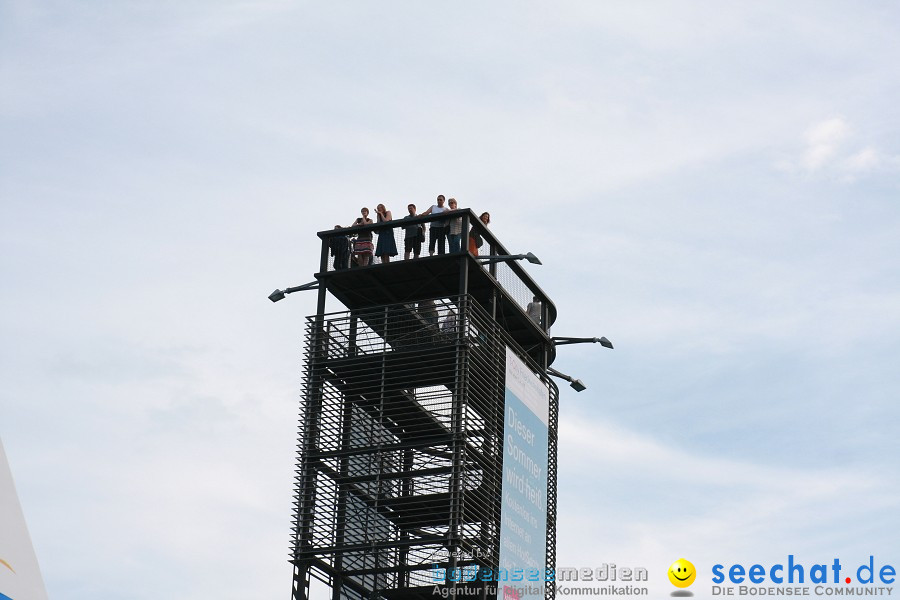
406, 423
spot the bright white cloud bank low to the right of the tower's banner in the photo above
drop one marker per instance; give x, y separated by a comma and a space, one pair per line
636, 501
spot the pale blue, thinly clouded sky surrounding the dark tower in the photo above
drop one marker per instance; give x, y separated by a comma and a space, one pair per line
715, 189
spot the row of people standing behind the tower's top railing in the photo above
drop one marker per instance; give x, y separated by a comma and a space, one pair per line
441, 234
